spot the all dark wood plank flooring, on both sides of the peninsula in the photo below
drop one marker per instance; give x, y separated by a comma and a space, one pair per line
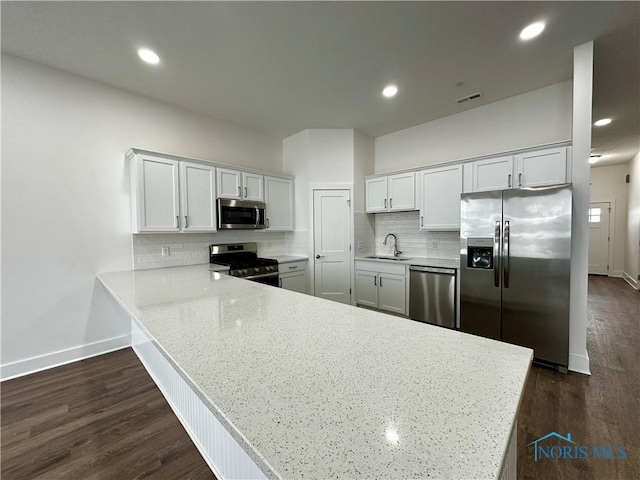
104, 418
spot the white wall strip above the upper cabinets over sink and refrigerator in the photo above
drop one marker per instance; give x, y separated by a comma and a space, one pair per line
538, 117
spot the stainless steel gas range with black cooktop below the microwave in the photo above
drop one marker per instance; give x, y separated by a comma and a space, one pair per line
243, 262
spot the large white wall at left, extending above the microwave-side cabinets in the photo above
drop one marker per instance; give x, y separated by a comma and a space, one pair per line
65, 201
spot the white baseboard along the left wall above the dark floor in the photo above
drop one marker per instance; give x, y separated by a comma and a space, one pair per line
62, 357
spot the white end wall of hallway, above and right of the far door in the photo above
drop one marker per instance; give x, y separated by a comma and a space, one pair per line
608, 185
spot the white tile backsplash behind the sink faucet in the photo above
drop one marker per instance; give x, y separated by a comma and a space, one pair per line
412, 241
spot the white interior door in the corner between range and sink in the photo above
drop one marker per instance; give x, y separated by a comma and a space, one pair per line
331, 240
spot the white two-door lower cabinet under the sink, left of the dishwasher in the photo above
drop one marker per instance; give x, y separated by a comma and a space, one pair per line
382, 286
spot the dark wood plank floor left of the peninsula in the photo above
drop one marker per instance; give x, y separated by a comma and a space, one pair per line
101, 418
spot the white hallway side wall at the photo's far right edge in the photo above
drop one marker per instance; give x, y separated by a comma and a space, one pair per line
632, 251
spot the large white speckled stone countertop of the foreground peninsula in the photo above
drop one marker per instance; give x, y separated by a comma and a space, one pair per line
317, 389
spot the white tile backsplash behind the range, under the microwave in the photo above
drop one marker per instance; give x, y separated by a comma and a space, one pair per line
193, 248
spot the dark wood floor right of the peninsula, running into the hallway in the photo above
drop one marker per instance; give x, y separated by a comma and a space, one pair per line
601, 409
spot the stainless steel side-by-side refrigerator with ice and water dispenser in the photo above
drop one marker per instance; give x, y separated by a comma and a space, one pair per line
515, 250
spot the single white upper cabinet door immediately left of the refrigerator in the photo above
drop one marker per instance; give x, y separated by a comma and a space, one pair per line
441, 189
